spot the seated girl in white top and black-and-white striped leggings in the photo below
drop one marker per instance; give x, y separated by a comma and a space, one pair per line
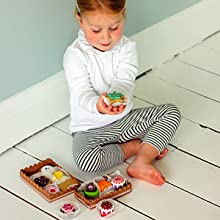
102, 60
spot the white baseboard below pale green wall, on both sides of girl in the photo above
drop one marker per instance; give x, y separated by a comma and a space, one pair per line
44, 103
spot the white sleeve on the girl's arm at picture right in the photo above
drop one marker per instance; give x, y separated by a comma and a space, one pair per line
124, 80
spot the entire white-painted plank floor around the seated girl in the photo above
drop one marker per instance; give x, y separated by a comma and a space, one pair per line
191, 80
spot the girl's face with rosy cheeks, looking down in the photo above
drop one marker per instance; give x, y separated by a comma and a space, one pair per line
102, 30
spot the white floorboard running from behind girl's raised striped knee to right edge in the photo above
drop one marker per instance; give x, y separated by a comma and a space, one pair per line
192, 106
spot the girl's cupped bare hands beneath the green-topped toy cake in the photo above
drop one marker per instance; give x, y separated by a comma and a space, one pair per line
110, 110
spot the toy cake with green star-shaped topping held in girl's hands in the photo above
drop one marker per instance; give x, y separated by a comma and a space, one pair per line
115, 99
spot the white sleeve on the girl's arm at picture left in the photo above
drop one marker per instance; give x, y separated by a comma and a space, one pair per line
75, 66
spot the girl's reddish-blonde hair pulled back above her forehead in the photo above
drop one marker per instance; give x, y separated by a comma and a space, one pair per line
110, 6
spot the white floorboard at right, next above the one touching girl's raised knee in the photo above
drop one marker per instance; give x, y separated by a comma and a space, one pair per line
190, 78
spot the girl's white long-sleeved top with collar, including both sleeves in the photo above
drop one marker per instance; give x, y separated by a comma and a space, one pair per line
90, 73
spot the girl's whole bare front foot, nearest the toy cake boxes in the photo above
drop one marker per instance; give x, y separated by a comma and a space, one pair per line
146, 172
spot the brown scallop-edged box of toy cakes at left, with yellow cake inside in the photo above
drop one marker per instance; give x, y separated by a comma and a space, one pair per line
49, 179
